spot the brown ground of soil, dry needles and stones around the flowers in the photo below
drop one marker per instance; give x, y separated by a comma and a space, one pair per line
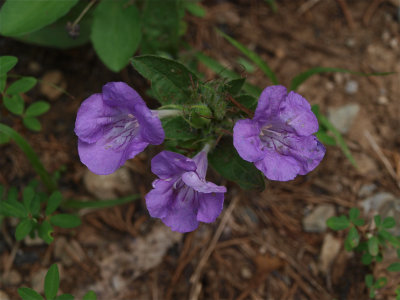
269, 245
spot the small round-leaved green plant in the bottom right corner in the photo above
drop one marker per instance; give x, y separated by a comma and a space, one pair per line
370, 244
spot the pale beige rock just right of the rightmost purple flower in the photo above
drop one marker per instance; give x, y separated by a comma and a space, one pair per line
342, 118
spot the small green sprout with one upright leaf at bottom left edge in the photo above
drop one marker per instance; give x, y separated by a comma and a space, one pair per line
51, 286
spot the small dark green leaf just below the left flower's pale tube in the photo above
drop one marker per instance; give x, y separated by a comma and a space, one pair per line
178, 129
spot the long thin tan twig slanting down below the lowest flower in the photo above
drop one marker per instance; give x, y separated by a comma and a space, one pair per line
194, 279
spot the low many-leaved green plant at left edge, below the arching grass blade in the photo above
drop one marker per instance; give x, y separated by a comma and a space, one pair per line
36, 212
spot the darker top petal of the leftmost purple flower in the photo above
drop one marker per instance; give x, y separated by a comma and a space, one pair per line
121, 96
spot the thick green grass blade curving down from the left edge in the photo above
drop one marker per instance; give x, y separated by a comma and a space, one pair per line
31, 155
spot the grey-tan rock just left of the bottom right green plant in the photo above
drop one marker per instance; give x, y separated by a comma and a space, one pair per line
316, 220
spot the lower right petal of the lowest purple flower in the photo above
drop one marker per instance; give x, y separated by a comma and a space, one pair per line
210, 206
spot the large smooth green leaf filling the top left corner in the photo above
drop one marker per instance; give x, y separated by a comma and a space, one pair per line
21, 17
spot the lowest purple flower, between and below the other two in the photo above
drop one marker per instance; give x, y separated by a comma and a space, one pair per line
182, 197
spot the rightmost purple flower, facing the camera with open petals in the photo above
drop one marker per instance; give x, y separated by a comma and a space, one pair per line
279, 140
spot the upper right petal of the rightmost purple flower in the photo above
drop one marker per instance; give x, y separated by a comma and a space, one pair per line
296, 113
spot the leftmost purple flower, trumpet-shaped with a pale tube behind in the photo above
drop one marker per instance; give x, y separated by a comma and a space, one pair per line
113, 127
